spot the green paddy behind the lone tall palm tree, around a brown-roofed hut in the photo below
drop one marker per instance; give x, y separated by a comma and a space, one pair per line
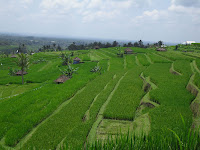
37, 73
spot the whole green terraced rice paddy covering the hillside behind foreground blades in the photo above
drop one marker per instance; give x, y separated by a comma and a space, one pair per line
146, 93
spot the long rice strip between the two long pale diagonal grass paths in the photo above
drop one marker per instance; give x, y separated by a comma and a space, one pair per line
68, 123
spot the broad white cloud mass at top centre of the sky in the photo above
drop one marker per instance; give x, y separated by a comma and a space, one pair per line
91, 10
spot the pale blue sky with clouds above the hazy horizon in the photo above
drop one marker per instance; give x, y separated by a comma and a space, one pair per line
149, 20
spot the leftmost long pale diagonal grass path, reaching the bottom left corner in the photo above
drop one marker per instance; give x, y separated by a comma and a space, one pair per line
28, 136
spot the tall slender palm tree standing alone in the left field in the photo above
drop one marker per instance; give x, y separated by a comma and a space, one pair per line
22, 62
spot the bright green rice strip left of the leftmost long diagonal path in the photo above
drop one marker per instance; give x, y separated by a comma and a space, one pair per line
36, 105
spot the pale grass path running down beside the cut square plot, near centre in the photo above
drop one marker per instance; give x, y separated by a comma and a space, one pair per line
92, 133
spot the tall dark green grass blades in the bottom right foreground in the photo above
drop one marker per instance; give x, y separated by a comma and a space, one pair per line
185, 140
